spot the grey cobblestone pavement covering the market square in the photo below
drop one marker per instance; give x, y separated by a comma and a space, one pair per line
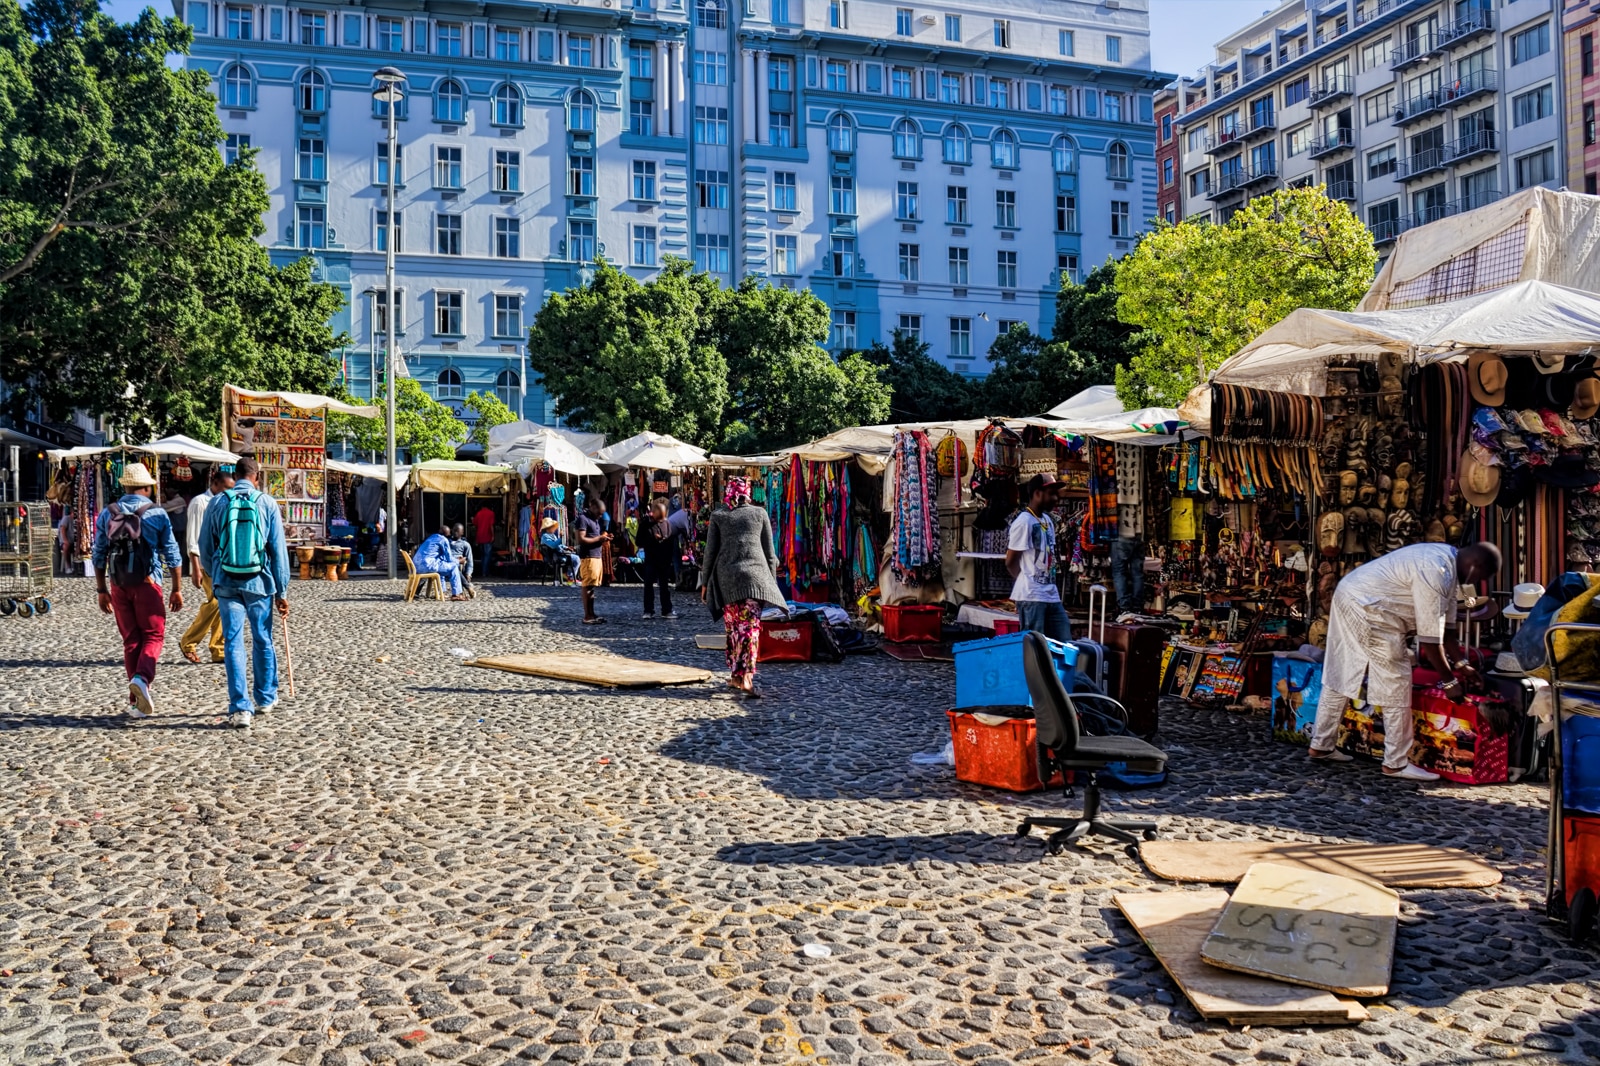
417, 862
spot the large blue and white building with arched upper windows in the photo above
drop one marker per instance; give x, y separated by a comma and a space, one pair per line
921, 167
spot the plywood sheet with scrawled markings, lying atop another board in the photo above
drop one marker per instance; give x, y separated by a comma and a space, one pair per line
1313, 929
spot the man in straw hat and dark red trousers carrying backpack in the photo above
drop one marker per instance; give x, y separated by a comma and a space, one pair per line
134, 543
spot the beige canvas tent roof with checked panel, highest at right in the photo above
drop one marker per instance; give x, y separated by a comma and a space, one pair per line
1537, 234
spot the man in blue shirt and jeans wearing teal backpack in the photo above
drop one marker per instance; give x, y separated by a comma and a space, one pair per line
244, 551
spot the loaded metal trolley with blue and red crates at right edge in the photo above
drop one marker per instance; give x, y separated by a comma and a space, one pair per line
1572, 883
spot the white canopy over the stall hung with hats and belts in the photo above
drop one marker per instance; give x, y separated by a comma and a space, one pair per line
1514, 321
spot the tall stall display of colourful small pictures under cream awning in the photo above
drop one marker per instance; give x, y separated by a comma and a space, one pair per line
287, 433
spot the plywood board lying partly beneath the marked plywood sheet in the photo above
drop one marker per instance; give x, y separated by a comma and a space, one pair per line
1175, 924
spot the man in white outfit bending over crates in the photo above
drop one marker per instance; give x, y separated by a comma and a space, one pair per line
1377, 606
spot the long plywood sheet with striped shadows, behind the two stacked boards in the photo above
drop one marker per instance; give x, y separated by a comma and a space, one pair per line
1394, 865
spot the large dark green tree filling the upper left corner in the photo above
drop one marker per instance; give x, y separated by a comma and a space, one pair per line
132, 284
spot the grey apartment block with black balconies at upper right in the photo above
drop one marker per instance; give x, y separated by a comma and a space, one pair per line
1410, 111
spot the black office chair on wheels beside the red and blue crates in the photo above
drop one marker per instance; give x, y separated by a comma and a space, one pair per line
1065, 747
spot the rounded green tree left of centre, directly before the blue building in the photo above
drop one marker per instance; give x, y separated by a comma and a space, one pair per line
623, 358
